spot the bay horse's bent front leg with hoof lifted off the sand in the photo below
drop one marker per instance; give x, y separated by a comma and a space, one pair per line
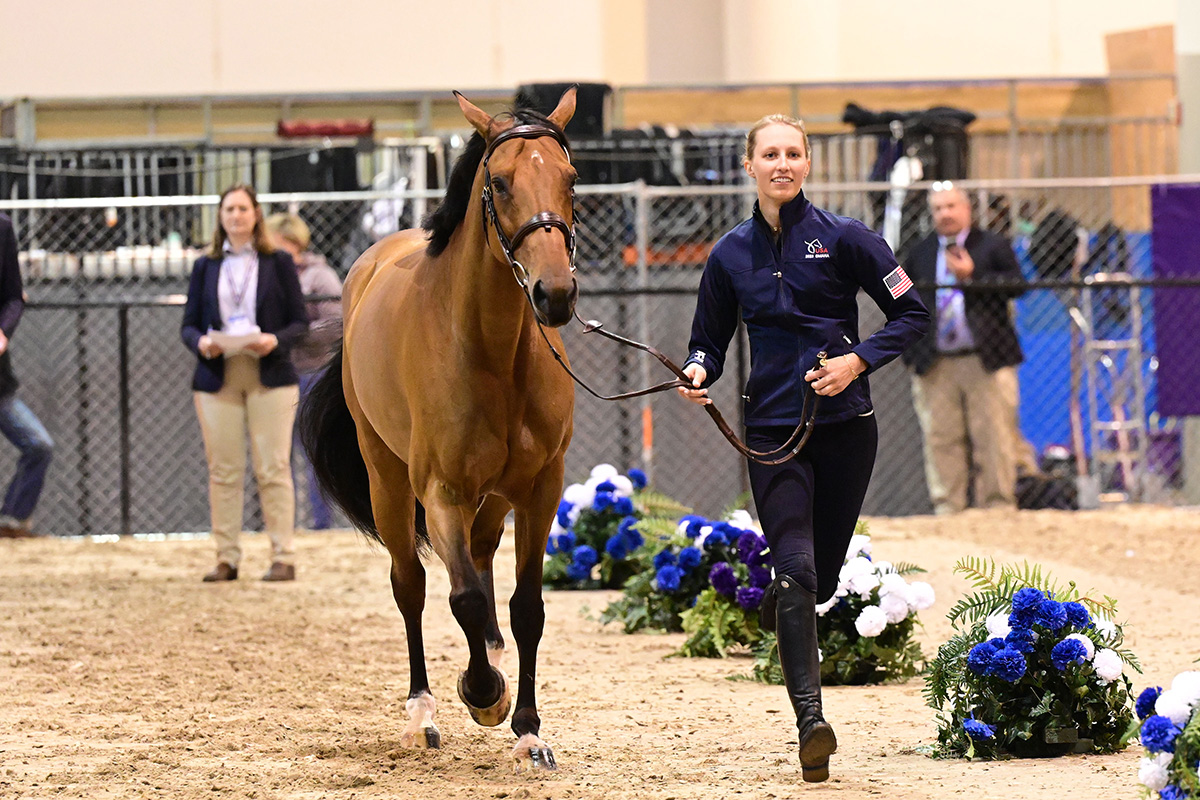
482, 688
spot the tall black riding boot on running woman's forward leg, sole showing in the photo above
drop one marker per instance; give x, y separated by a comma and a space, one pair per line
800, 658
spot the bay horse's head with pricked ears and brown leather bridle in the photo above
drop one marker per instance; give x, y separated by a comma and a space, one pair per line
529, 187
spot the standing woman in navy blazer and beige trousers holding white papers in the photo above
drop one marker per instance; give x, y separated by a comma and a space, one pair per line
243, 287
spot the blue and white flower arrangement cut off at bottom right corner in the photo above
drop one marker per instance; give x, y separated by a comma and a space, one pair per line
1169, 729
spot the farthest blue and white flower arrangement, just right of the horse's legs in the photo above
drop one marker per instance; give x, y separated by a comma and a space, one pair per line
598, 530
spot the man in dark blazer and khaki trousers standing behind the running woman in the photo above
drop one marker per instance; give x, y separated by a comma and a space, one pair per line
965, 369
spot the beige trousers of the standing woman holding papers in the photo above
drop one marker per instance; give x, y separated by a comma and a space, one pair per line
225, 418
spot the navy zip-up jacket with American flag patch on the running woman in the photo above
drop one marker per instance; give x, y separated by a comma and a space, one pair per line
797, 300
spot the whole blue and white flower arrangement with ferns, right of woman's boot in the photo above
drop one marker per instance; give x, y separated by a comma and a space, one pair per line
1033, 670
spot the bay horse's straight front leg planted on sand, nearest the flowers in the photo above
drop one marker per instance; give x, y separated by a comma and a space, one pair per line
527, 615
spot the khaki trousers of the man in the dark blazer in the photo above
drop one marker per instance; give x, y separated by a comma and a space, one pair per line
958, 404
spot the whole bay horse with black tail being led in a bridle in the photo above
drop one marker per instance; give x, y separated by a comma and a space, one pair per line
445, 408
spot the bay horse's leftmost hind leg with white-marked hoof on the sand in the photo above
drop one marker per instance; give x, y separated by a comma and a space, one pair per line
395, 508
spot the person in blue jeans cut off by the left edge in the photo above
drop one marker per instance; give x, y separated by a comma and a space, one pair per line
17, 422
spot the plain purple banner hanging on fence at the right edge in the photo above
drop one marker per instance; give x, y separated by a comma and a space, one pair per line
1175, 245
